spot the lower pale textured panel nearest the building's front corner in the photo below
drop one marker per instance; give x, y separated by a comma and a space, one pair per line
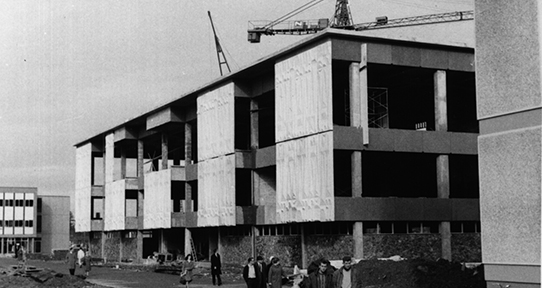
305, 179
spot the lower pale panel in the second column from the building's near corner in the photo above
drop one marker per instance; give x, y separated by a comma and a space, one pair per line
216, 191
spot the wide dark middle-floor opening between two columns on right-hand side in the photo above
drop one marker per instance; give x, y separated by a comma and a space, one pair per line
396, 174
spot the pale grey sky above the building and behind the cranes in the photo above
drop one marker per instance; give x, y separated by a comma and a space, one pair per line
71, 69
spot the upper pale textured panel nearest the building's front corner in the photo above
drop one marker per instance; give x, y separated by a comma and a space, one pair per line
303, 93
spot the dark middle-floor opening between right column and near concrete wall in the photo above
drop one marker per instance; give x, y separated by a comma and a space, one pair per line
464, 180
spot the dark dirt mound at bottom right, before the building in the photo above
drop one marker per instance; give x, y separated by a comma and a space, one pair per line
417, 274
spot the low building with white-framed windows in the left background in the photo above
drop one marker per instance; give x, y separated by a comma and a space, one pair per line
39, 223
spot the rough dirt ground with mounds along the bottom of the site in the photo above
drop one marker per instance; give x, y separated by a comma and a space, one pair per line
374, 274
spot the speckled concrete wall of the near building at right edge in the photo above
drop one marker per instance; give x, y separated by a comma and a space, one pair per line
508, 55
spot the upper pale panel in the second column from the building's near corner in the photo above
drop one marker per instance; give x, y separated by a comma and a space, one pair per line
216, 113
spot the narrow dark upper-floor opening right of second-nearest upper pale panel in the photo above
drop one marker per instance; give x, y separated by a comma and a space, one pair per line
242, 123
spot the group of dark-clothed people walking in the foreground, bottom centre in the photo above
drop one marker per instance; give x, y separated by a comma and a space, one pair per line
258, 274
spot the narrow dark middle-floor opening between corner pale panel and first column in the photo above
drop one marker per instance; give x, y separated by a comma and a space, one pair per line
342, 173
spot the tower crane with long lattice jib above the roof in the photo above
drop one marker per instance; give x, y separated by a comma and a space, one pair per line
342, 19
